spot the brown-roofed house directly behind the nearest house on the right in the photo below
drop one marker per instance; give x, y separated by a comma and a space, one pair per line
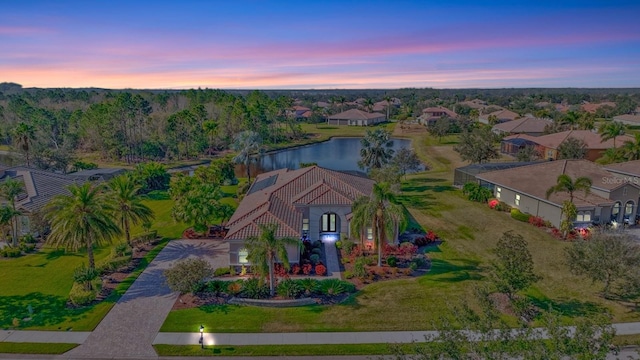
547, 145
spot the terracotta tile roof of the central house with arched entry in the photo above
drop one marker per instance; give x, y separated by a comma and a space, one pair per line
278, 197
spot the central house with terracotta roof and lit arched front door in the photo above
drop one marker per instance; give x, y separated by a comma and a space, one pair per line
312, 202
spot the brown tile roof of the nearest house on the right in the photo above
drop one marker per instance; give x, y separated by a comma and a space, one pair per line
534, 180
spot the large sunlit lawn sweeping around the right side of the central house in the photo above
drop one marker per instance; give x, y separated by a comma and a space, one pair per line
470, 231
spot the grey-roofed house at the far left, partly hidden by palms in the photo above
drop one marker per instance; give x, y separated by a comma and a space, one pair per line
40, 187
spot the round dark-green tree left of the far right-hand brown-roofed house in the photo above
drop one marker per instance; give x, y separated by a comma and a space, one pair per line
477, 146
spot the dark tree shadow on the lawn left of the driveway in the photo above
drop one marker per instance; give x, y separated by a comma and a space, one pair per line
36, 309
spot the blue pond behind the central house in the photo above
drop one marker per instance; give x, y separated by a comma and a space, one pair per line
337, 154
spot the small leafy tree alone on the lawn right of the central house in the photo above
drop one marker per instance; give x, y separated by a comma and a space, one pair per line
513, 268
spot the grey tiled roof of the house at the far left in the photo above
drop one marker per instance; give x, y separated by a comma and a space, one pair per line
40, 186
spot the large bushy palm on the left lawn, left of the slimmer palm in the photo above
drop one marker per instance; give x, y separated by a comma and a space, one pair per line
81, 219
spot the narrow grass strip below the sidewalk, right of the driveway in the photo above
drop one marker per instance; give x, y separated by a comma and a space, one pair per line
275, 350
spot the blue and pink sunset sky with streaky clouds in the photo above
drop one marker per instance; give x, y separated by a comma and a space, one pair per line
304, 44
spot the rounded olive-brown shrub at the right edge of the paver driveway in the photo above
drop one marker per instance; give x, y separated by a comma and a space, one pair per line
185, 275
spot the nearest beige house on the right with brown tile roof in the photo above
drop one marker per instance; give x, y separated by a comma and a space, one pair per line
611, 198
